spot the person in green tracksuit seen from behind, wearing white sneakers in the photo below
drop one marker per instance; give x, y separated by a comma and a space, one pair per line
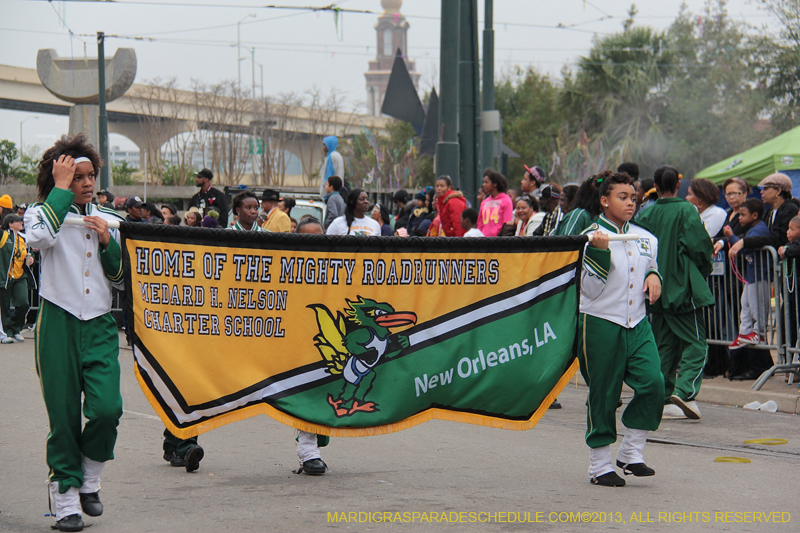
684, 259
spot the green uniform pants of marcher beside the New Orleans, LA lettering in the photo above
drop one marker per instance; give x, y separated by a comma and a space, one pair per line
609, 355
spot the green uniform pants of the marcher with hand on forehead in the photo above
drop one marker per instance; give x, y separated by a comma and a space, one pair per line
74, 356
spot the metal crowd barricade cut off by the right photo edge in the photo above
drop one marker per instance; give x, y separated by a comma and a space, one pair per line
789, 360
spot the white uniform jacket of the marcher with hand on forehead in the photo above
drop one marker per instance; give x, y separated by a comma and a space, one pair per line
76, 273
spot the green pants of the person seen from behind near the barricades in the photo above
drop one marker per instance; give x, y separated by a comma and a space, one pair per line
681, 343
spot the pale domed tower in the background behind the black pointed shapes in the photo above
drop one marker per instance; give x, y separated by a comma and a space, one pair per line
391, 35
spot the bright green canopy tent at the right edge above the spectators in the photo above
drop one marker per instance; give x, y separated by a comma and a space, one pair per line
781, 154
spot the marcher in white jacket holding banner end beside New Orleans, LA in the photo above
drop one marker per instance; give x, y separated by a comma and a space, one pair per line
616, 343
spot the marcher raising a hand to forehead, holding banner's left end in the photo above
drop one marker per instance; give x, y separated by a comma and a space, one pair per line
77, 343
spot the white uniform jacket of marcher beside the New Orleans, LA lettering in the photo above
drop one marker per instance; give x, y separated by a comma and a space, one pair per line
612, 280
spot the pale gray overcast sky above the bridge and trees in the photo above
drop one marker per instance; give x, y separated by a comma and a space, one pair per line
300, 49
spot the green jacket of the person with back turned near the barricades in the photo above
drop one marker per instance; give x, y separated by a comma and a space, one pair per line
684, 255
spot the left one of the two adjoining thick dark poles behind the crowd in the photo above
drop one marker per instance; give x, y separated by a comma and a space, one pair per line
447, 159
